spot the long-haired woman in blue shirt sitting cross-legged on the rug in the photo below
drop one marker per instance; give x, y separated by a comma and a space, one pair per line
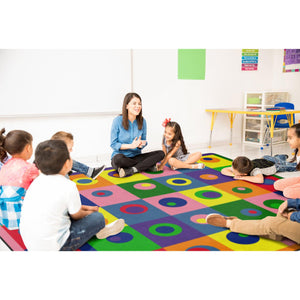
128, 138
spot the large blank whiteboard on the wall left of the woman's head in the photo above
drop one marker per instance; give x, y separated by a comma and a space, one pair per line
63, 81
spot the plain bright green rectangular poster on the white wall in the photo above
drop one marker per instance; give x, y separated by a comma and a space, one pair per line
191, 63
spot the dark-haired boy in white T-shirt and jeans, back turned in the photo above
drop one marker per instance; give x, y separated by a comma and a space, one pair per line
52, 215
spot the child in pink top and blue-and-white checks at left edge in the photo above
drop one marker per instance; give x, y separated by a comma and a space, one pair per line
15, 175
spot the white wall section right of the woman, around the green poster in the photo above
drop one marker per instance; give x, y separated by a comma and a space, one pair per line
185, 101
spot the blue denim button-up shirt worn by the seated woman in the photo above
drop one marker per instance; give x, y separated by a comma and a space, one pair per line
119, 135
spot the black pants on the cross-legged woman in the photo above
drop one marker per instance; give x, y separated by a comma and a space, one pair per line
141, 162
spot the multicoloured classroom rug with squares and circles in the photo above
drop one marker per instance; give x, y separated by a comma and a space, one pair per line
166, 210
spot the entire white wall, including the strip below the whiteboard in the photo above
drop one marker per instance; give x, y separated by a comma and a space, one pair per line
185, 101
